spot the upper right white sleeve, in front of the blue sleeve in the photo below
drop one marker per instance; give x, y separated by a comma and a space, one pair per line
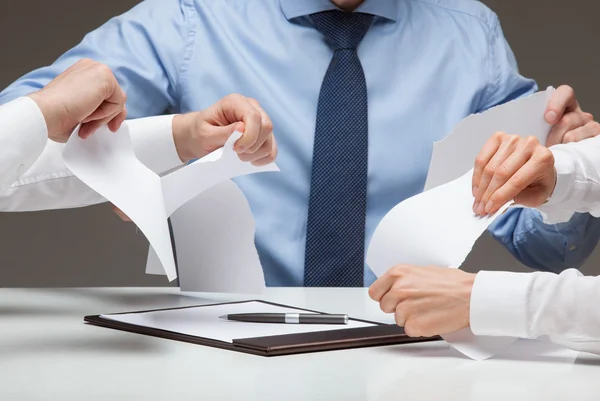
577, 183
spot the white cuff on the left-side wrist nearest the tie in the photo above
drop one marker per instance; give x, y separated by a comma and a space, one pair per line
153, 143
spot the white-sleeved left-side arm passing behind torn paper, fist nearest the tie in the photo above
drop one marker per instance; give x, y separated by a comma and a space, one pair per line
48, 184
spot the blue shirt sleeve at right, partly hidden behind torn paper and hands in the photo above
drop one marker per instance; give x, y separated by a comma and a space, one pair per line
549, 247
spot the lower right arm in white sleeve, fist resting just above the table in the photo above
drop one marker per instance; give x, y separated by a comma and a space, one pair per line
432, 300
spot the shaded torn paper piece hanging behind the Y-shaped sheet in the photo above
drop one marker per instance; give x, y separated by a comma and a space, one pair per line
214, 243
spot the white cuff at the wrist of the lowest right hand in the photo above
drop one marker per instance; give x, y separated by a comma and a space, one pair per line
499, 304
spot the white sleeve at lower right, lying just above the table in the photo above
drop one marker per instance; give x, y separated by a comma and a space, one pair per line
533, 305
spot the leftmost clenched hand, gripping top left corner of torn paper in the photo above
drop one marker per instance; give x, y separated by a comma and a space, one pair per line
86, 93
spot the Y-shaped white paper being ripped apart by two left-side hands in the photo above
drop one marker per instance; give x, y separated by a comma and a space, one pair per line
106, 162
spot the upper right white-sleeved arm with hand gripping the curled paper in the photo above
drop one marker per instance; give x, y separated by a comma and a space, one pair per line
559, 181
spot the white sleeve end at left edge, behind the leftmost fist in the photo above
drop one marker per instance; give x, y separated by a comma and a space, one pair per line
23, 135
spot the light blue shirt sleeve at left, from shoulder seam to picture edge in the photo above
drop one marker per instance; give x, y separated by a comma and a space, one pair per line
132, 45
